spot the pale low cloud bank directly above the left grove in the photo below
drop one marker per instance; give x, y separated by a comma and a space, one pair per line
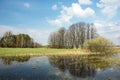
38, 35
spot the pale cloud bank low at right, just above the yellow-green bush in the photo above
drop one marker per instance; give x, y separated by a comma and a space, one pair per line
110, 30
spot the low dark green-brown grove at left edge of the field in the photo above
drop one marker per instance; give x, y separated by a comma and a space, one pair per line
18, 41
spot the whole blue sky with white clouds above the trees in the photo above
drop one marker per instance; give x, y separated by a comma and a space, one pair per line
39, 18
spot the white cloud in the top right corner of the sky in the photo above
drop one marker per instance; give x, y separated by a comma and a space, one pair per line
109, 7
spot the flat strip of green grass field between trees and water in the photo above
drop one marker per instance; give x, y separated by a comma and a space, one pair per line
39, 51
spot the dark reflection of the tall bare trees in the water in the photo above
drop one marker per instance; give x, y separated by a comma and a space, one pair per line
75, 66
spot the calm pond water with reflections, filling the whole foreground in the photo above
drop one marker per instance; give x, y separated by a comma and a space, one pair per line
91, 67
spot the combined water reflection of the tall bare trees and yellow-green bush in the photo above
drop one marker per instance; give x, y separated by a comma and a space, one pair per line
82, 65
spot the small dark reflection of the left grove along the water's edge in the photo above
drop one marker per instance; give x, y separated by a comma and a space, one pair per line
7, 60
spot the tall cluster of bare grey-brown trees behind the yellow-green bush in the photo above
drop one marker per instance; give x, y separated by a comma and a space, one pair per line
74, 37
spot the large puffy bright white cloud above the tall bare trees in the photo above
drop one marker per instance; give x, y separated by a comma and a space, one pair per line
68, 13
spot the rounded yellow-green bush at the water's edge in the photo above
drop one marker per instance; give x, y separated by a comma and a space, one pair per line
99, 44
